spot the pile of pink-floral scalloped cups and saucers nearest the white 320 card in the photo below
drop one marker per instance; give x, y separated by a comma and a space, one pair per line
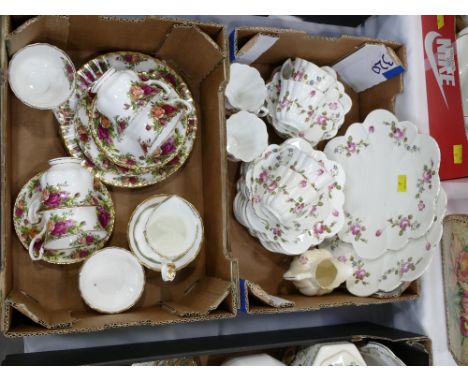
306, 101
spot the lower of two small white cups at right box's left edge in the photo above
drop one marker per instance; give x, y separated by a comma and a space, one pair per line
247, 136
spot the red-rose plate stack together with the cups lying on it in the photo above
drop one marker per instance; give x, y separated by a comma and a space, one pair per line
132, 119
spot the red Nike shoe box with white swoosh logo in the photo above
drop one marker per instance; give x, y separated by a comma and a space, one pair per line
444, 98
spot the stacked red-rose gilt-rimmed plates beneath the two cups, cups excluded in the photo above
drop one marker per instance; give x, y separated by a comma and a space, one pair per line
81, 136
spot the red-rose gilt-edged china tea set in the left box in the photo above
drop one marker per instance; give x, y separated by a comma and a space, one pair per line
128, 120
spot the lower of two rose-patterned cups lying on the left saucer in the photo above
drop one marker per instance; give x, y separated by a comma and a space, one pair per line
63, 228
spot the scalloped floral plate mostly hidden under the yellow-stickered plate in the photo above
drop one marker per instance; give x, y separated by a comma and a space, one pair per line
393, 268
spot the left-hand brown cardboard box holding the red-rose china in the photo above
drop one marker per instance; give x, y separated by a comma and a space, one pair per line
39, 298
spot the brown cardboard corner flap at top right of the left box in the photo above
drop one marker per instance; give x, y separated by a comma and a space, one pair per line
182, 46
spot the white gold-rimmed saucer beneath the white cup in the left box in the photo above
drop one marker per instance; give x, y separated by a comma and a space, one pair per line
142, 249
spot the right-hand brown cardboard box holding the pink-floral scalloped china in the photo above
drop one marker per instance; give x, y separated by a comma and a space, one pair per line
261, 271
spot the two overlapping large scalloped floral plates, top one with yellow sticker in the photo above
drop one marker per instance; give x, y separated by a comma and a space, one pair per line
394, 204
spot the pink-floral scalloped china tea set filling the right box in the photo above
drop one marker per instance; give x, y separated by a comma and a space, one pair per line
366, 211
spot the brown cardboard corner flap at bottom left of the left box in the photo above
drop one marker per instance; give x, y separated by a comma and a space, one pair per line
31, 309
